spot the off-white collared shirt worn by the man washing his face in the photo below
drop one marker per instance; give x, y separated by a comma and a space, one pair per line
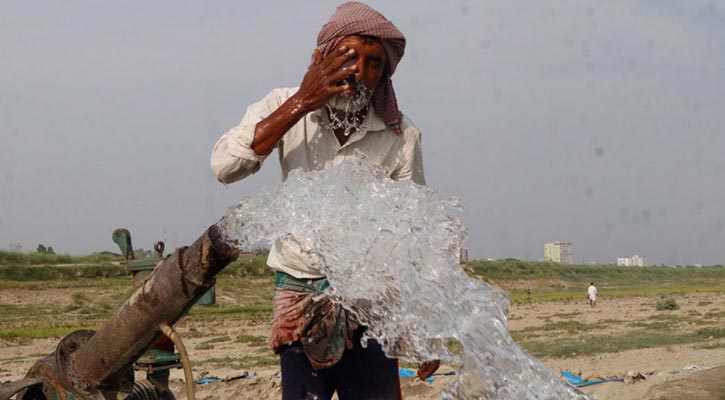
311, 146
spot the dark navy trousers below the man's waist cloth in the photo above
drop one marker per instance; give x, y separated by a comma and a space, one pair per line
361, 374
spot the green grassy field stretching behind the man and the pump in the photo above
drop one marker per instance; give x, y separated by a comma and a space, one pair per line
93, 290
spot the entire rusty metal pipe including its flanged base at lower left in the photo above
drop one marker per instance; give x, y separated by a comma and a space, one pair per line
98, 365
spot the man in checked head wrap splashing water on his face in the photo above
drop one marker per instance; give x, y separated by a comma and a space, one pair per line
345, 104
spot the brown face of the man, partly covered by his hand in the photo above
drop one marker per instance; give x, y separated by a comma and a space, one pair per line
370, 58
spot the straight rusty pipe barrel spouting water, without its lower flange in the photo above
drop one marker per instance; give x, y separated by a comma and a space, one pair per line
165, 297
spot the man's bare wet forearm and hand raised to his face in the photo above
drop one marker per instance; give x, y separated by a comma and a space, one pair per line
321, 82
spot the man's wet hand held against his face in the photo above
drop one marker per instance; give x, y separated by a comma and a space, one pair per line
323, 77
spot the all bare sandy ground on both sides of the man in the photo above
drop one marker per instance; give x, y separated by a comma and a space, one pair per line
228, 347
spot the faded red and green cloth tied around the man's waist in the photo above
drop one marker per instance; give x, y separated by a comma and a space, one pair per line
302, 311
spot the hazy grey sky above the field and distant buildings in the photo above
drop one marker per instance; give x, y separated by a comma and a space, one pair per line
601, 123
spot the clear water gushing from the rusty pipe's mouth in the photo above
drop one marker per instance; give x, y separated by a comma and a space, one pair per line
390, 251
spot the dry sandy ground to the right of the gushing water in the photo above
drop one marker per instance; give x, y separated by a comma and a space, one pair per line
660, 366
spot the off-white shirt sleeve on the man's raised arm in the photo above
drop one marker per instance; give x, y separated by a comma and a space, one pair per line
233, 158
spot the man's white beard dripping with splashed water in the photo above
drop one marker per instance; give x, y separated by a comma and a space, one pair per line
344, 109
